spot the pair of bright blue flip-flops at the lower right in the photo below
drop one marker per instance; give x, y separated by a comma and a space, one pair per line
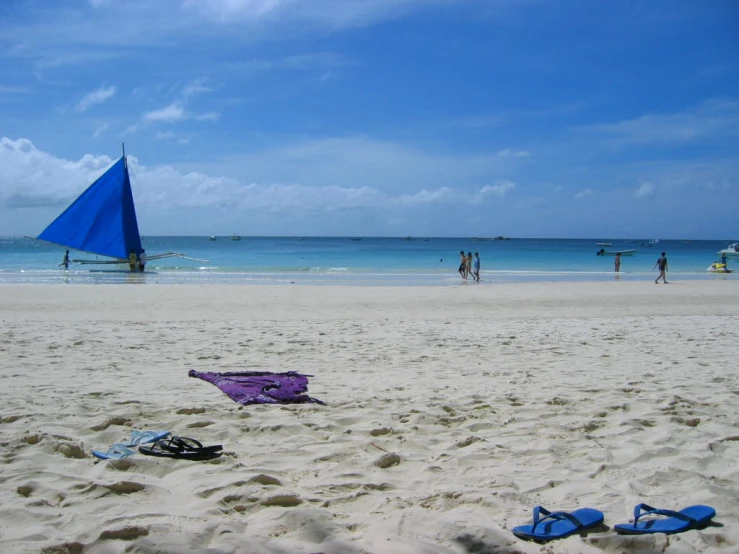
548, 525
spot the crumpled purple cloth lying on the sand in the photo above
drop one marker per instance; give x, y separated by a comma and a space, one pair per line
260, 387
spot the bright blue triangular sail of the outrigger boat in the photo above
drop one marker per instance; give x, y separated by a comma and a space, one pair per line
102, 220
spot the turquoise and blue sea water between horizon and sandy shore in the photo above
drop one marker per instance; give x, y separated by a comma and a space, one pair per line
363, 261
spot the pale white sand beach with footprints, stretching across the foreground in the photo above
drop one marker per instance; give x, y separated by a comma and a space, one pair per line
495, 399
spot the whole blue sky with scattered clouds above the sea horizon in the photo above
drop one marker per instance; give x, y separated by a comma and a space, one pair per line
522, 118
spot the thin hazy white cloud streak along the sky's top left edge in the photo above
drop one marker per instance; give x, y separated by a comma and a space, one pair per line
67, 33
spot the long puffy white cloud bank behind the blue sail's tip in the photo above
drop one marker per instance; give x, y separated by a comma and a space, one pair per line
26, 174
